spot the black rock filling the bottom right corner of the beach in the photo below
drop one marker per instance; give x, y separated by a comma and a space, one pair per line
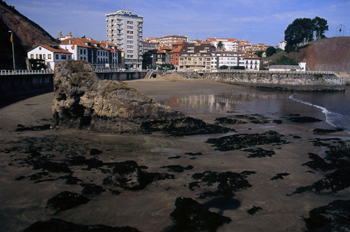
333, 217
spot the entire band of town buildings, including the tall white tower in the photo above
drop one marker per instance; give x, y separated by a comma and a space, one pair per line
125, 48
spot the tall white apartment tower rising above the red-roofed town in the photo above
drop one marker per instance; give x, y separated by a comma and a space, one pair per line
124, 28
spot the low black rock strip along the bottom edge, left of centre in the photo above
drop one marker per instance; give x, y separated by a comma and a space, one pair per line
58, 225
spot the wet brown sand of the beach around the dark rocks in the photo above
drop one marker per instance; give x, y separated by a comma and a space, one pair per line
24, 201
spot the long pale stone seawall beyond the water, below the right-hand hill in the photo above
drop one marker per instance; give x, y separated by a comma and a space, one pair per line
290, 81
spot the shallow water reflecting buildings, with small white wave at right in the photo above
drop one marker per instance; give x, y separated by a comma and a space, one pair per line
332, 107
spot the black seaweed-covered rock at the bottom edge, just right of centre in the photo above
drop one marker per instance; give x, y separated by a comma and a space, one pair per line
189, 215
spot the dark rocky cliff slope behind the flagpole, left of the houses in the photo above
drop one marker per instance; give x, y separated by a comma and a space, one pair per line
26, 35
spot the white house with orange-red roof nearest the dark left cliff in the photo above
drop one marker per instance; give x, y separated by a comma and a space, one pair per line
50, 54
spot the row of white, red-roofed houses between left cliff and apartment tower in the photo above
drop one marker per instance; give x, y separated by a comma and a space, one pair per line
100, 54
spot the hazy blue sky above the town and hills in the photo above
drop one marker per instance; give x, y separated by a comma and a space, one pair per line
258, 21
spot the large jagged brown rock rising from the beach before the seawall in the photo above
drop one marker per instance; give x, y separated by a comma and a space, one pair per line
83, 100
